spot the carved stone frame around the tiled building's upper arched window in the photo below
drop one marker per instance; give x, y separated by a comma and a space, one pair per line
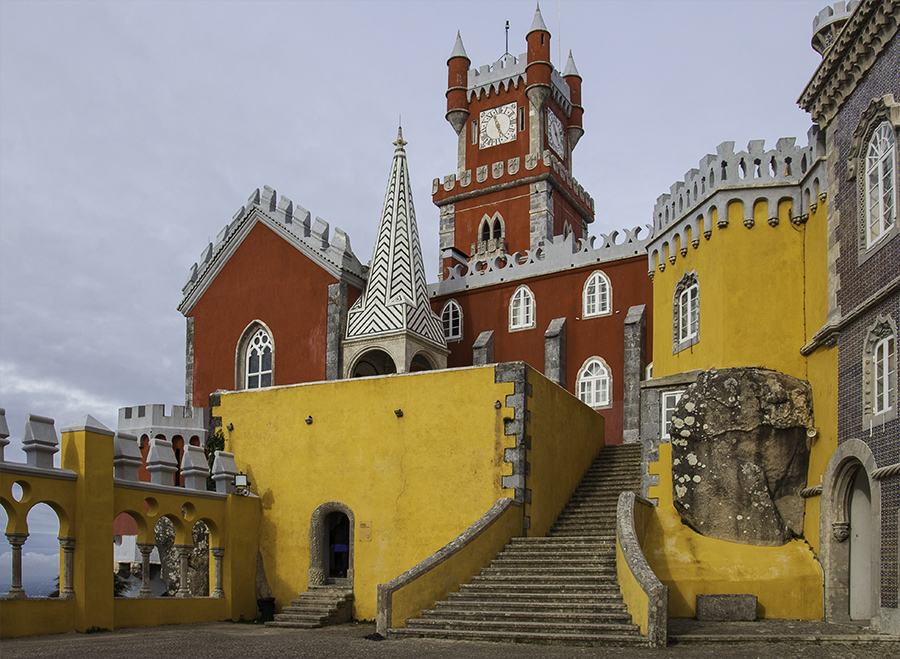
880, 112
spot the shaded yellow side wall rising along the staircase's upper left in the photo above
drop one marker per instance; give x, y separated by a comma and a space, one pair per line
566, 437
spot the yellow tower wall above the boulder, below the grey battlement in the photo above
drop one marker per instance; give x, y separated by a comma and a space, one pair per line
751, 285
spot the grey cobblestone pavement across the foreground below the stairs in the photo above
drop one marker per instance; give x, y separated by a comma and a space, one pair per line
225, 639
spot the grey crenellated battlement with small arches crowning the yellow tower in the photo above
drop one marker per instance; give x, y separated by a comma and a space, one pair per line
788, 179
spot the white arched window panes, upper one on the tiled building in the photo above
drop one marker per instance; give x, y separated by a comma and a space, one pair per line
881, 184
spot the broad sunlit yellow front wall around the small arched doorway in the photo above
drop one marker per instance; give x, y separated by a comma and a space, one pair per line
417, 481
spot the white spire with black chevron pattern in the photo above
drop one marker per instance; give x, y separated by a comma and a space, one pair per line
396, 296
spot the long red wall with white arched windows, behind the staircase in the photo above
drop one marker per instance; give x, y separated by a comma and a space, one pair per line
559, 295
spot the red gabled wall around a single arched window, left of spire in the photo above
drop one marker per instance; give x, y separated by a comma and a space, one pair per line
266, 279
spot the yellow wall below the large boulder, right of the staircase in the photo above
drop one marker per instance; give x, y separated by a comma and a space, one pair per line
786, 580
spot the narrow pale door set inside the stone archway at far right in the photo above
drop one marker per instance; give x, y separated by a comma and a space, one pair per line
860, 507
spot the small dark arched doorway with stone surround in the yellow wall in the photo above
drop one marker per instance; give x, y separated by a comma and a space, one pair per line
328, 565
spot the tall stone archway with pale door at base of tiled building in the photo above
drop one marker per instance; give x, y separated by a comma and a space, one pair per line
850, 534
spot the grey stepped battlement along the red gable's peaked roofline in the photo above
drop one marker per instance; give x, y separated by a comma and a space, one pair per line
293, 221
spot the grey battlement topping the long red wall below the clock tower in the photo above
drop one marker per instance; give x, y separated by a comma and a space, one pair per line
558, 253
